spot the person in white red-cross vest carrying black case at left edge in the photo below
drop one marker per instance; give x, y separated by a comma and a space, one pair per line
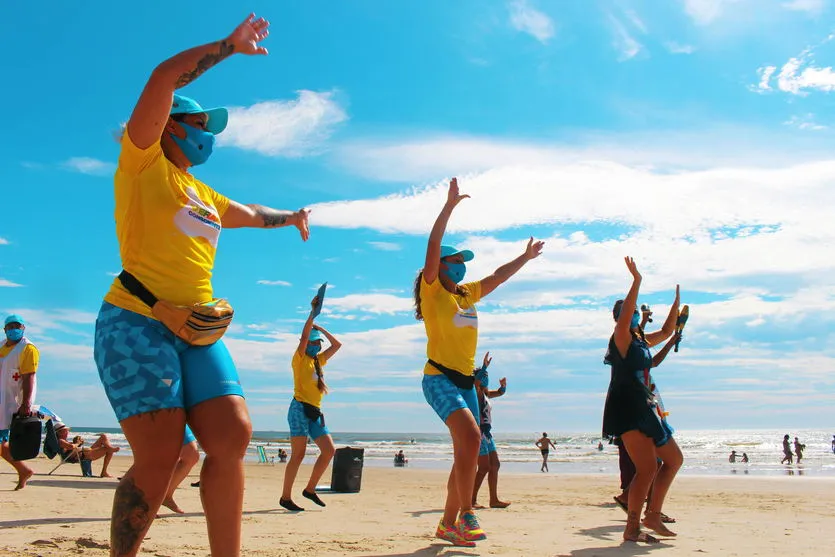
18, 383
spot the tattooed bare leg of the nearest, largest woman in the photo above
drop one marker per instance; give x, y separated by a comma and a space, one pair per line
155, 439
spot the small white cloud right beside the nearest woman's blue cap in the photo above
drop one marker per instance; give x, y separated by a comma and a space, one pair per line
285, 128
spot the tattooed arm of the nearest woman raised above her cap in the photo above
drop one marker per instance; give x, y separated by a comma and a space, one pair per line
151, 111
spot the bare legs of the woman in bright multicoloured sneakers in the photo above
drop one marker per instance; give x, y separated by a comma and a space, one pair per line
466, 438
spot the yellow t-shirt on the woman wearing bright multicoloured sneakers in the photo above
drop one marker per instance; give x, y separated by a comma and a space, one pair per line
451, 323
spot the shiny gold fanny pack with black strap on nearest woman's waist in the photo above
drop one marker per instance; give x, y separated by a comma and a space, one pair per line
199, 324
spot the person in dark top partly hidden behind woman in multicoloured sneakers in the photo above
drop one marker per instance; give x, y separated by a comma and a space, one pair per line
488, 457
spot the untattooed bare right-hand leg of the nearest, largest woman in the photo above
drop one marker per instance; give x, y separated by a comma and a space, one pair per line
223, 429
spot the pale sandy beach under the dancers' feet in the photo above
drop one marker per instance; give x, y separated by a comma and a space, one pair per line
397, 510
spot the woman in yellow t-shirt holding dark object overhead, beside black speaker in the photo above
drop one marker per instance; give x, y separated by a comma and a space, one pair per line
305, 414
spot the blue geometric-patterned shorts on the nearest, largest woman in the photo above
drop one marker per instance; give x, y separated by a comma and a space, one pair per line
144, 367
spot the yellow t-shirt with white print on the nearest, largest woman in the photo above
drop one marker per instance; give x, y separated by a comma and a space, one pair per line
167, 224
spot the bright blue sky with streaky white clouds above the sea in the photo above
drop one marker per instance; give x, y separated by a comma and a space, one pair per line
694, 135
